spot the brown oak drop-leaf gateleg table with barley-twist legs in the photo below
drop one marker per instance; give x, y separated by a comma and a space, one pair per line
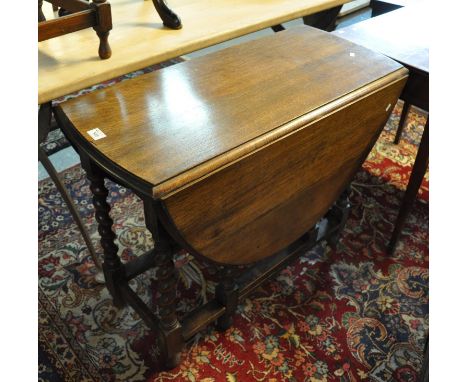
237, 157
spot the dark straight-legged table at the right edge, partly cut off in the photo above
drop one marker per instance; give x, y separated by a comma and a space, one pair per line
403, 36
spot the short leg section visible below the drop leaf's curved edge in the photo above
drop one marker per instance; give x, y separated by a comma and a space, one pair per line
227, 294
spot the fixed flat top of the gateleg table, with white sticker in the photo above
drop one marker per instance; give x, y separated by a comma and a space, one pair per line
175, 125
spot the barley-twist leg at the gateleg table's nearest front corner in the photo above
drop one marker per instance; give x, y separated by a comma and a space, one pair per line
166, 279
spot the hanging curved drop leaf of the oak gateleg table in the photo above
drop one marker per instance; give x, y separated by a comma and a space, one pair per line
261, 203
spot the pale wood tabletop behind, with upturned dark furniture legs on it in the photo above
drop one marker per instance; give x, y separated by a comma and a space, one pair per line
138, 38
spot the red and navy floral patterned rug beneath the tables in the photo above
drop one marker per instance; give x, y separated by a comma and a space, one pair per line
349, 314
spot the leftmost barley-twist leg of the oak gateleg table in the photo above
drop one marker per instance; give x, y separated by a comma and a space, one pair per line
112, 267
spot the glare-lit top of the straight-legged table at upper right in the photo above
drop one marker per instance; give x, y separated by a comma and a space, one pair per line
402, 34
